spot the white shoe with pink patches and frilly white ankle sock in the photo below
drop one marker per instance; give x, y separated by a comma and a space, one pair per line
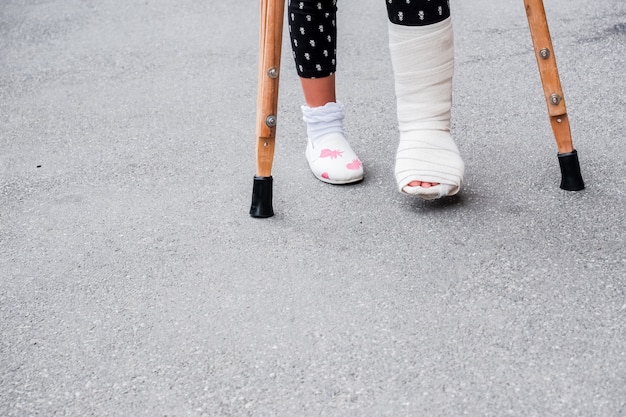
328, 152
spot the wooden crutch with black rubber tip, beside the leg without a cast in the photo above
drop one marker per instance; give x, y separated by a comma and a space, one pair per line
270, 46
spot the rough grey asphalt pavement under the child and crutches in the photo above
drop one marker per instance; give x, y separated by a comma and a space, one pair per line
134, 283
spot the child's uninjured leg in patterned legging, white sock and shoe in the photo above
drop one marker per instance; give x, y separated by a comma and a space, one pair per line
312, 28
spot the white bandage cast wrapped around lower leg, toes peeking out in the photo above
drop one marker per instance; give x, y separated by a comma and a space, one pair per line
423, 63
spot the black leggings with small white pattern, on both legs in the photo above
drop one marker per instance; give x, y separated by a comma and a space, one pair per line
313, 30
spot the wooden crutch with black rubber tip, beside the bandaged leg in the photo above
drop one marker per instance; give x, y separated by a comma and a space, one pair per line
571, 178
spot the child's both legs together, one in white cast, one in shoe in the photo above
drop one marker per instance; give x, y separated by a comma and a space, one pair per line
421, 45
